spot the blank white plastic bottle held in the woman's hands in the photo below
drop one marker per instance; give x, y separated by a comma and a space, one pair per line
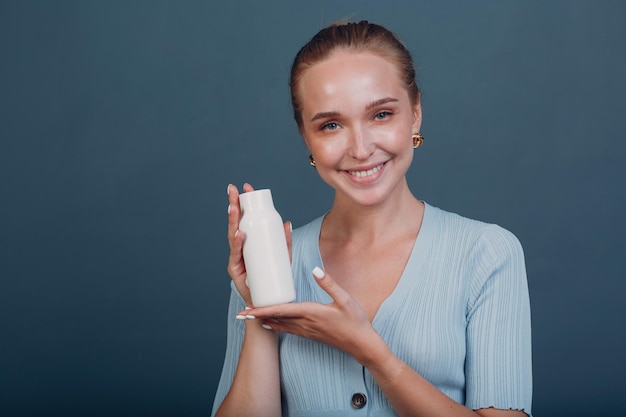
265, 251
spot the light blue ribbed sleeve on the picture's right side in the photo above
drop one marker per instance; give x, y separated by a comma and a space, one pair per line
498, 367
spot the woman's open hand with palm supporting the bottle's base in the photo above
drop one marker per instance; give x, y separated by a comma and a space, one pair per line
342, 324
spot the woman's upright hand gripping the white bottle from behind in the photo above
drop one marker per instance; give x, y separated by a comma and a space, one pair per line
236, 267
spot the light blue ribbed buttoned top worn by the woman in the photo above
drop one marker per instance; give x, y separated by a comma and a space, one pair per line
459, 316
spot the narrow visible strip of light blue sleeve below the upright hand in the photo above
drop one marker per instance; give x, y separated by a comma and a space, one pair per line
234, 341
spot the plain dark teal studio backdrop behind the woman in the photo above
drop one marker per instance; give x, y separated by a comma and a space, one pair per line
122, 122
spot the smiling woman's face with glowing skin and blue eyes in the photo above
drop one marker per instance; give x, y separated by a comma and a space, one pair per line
357, 123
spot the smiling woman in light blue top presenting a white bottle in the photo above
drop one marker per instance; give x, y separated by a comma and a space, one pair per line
402, 309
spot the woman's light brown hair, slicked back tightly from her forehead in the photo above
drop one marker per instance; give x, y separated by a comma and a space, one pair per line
358, 37
